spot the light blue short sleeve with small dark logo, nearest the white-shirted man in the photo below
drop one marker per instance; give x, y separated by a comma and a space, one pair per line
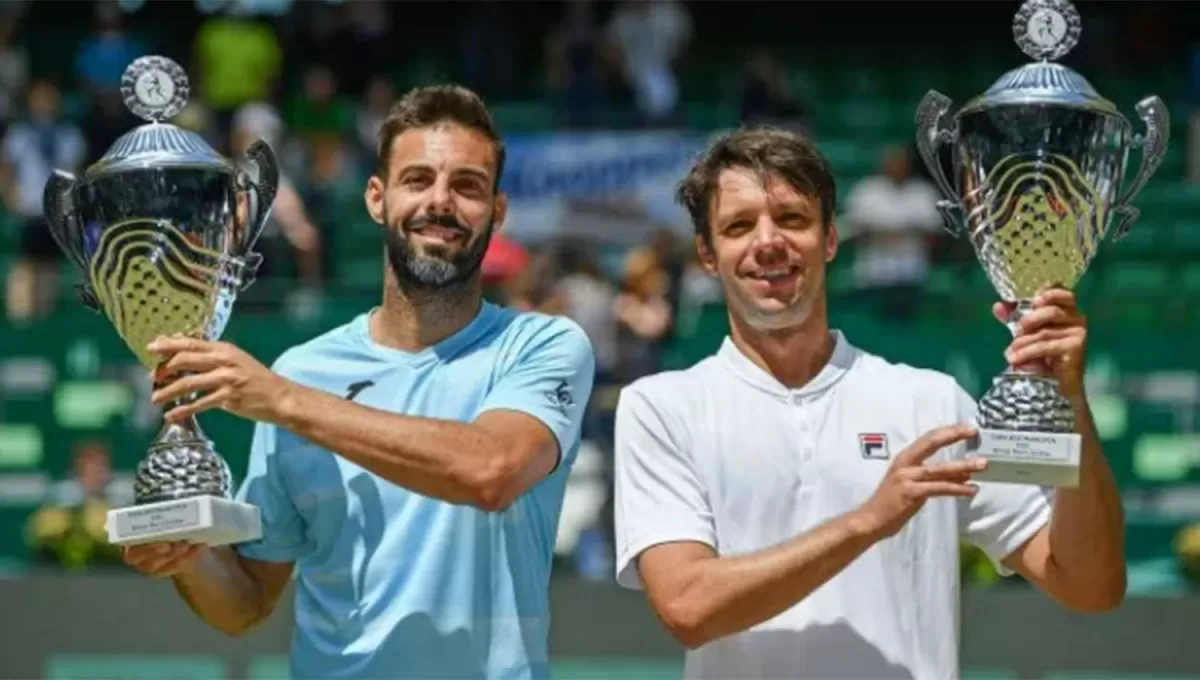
551, 381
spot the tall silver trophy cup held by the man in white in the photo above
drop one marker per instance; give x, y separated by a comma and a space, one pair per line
1039, 167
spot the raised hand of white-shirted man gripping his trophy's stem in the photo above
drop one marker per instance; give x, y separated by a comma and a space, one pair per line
1052, 340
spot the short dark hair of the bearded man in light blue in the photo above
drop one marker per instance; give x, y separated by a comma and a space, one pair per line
430, 106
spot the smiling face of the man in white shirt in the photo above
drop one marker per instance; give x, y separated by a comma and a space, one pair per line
769, 245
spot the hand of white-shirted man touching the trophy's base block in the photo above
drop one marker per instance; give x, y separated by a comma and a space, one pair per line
910, 483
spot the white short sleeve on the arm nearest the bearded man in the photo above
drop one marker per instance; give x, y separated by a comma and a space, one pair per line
659, 497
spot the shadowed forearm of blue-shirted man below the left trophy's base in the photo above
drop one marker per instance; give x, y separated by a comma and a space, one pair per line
223, 593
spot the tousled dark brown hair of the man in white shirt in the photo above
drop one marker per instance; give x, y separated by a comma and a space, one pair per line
765, 151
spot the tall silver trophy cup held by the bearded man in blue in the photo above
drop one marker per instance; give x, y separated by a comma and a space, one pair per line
163, 230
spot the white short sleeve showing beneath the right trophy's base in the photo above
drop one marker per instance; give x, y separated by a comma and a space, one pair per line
1001, 517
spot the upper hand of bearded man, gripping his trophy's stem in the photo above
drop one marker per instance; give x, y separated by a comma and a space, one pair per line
224, 376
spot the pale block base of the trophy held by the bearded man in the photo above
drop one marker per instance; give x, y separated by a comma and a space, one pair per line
206, 520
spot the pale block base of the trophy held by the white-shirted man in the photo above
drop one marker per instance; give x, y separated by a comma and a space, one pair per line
1018, 458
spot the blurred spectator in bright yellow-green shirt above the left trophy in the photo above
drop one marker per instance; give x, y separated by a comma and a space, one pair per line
239, 62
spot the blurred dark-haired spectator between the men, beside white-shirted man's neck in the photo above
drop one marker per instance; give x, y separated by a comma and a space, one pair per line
644, 316
